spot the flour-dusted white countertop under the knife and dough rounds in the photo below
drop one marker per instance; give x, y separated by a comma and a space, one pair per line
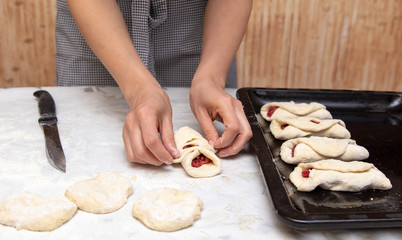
236, 202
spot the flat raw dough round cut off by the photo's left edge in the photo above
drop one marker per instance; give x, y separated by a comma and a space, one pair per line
36, 213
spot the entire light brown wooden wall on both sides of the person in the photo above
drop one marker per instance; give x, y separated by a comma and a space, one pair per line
330, 44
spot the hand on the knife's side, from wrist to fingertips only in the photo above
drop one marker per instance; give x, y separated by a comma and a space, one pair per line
150, 116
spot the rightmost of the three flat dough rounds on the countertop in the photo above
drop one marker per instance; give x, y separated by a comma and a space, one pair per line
167, 209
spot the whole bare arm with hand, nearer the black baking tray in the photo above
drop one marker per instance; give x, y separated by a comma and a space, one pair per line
225, 23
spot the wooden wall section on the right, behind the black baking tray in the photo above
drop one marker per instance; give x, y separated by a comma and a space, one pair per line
332, 44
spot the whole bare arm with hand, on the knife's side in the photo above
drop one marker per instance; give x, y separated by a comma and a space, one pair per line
103, 27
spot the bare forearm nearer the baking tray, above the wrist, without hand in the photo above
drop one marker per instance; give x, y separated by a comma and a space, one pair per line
224, 27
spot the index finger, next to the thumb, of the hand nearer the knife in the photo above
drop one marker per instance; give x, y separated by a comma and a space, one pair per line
151, 139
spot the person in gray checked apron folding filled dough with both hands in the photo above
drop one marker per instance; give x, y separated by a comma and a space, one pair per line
143, 44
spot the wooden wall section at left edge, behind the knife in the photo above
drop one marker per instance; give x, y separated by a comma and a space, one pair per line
27, 43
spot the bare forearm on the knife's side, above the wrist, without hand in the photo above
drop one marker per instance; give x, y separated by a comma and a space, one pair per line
103, 27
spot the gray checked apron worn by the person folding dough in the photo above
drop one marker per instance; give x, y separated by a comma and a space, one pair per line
166, 34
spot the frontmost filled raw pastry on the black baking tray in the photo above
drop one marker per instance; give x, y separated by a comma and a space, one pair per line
338, 175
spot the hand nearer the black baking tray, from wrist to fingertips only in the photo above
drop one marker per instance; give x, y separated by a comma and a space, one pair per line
210, 102
